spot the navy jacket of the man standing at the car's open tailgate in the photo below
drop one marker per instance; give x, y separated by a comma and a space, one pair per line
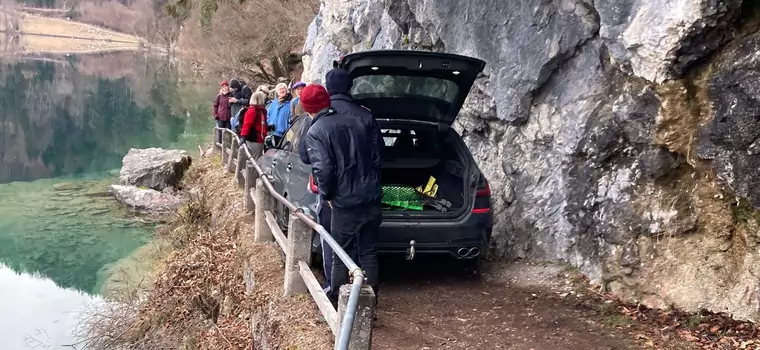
345, 166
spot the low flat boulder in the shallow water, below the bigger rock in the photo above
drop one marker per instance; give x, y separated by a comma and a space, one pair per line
148, 201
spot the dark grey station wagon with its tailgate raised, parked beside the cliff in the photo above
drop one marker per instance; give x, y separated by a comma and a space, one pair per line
415, 97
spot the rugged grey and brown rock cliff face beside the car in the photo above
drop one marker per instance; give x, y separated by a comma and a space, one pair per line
621, 137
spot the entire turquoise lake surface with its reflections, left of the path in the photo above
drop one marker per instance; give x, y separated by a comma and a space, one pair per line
65, 125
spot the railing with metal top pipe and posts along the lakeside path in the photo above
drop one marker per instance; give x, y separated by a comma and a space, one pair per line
299, 278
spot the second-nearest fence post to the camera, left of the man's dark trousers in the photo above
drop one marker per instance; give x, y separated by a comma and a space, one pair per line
299, 248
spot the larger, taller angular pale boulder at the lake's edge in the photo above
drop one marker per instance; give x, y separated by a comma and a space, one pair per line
154, 168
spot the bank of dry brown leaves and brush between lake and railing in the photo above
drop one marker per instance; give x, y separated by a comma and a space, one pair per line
198, 299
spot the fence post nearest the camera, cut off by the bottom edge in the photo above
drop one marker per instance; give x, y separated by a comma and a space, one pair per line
361, 333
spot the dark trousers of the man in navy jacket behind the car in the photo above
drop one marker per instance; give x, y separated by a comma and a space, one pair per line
356, 231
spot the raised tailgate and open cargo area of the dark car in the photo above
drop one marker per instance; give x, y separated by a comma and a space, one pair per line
416, 96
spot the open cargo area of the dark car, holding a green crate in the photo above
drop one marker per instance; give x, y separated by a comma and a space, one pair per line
415, 156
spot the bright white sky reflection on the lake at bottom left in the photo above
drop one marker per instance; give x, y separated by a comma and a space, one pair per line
36, 313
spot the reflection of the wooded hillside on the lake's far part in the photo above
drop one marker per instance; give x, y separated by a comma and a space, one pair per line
78, 114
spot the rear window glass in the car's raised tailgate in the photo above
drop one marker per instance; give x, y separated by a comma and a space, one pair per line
398, 86
